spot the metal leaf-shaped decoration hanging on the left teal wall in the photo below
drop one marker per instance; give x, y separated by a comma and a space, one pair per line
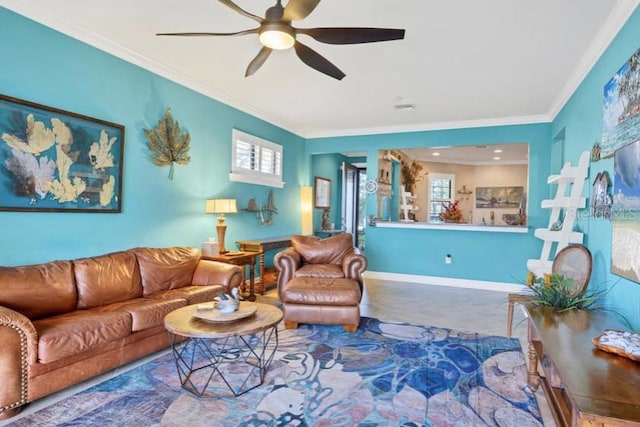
168, 145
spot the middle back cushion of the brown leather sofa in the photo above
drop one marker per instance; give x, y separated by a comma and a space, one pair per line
107, 279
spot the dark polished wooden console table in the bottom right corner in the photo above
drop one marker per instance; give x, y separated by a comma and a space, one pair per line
585, 386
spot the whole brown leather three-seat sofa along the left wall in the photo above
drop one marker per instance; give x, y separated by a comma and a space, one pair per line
66, 321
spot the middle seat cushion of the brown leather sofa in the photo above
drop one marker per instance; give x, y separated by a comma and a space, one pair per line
145, 313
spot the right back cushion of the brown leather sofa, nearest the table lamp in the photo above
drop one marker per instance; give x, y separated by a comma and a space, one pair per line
166, 268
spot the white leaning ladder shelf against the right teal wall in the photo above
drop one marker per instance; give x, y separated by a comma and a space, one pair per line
571, 178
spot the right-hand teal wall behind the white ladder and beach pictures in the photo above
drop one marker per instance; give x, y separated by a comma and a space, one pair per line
581, 122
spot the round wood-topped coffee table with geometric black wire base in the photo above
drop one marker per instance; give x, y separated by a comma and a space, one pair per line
223, 353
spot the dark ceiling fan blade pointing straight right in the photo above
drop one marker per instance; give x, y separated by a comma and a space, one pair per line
352, 35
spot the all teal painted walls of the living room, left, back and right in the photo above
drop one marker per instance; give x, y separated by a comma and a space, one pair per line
43, 66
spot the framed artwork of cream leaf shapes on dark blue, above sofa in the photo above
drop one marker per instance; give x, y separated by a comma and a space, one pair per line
57, 161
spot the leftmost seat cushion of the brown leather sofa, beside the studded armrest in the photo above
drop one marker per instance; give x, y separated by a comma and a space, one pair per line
72, 333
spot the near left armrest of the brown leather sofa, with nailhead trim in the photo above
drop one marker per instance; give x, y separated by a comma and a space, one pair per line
19, 348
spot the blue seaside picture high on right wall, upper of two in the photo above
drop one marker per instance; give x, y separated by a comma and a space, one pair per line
621, 113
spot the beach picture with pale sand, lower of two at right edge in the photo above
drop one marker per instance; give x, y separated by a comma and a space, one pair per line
625, 245
